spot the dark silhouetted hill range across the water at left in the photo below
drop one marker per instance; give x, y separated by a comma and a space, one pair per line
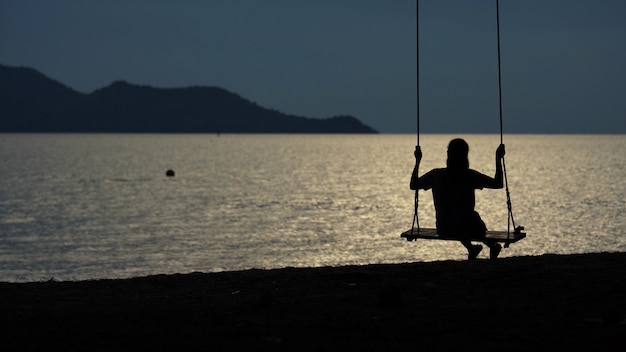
32, 102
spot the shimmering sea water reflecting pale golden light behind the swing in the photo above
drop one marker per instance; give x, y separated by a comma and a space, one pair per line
76, 207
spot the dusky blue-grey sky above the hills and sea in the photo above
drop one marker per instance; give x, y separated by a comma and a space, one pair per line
563, 62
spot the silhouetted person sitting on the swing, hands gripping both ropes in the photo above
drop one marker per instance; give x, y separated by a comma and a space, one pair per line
453, 194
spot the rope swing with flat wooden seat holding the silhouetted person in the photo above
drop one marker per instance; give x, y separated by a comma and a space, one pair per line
507, 236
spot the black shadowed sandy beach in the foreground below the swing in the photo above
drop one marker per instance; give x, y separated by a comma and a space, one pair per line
572, 302
